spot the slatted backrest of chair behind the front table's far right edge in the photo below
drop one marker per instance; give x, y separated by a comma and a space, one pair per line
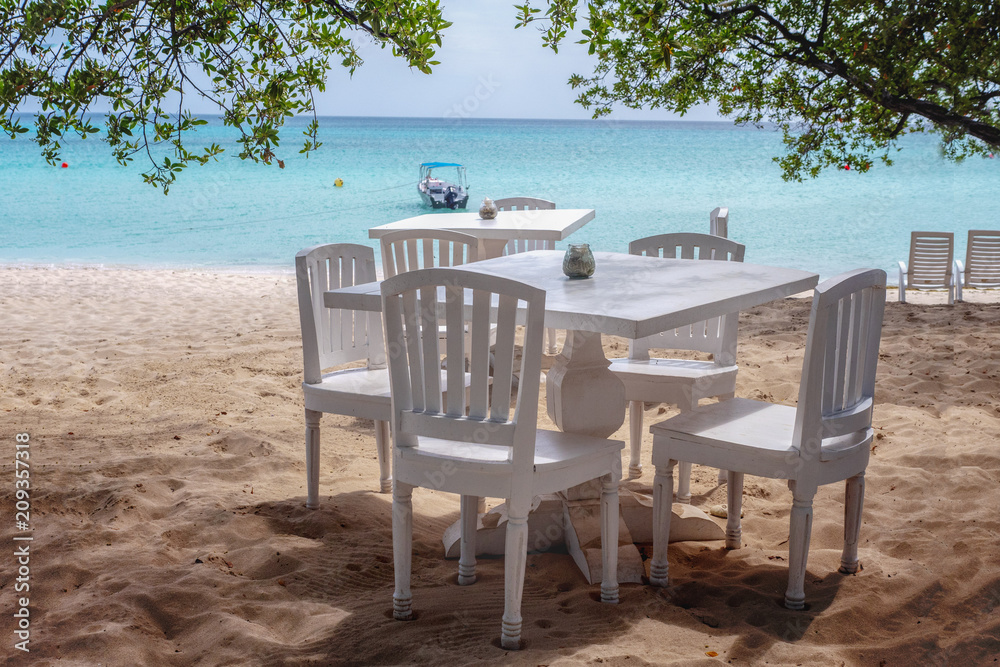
717, 335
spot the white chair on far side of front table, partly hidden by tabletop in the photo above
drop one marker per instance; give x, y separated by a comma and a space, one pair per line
680, 382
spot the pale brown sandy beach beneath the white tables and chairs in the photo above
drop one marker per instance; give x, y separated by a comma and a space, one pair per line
168, 488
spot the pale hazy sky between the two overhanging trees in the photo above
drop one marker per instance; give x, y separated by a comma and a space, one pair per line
488, 70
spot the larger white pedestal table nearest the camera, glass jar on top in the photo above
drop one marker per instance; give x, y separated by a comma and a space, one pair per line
630, 296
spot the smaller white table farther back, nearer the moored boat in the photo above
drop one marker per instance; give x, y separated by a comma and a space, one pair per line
543, 225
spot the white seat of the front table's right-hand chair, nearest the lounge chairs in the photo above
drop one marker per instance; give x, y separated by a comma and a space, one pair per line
759, 434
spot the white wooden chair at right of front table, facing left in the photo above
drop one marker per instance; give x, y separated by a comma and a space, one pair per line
825, 439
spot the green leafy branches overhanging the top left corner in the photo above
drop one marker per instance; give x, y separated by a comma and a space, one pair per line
260, 61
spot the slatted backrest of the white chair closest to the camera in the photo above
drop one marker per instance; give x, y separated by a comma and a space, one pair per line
414, 304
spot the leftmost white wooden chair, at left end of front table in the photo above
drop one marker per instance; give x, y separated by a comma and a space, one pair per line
332, 337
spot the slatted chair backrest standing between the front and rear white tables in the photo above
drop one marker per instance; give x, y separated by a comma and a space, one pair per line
411, 249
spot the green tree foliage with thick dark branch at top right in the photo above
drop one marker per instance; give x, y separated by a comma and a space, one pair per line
843, 79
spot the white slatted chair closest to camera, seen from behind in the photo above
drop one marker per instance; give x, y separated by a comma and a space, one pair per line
476, 447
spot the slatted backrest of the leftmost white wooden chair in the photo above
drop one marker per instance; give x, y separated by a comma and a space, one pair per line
332, 336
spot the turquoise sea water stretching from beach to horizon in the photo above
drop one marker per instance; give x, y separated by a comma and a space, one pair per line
641, 177
